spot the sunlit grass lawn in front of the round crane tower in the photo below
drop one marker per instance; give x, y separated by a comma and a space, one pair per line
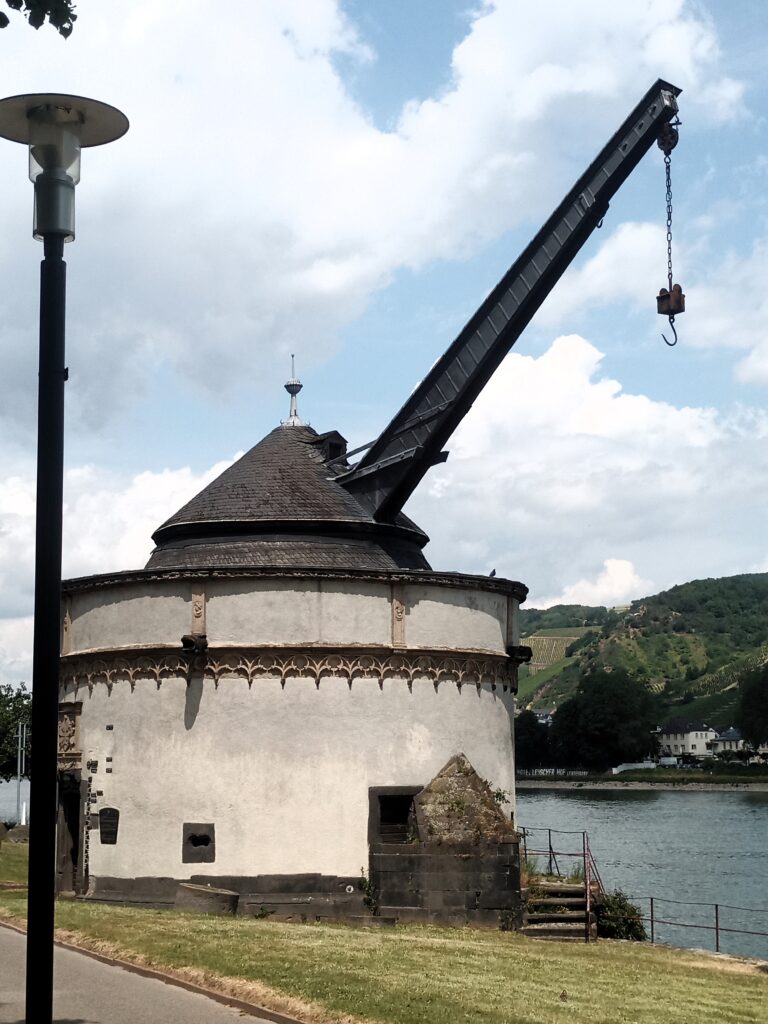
423, 975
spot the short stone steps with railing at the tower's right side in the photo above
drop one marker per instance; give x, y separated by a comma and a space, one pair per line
559, 911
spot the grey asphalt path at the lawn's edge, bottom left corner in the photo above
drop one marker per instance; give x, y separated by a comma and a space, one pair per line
88, 992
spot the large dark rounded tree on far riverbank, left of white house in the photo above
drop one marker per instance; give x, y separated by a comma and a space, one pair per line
610, 719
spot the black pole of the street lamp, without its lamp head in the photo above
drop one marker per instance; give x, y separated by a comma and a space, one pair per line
47, 638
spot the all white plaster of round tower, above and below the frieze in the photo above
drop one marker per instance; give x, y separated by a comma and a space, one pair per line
282, 772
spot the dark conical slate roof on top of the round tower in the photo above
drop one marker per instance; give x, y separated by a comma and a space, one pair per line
281, 506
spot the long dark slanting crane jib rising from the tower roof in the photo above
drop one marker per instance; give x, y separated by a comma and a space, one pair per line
387, 477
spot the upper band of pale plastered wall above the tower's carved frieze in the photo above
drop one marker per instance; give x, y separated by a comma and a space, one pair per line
286, 613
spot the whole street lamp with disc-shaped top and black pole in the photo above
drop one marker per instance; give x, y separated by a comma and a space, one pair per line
56, 129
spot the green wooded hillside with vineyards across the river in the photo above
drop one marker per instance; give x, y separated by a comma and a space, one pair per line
690, 645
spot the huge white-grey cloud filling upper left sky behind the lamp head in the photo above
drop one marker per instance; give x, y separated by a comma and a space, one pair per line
254, 203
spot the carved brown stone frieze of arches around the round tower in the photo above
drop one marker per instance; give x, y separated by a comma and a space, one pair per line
253, 666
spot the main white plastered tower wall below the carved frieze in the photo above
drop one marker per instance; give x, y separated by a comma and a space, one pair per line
282, 773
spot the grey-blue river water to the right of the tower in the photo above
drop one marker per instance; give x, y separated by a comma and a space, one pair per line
700, 848
